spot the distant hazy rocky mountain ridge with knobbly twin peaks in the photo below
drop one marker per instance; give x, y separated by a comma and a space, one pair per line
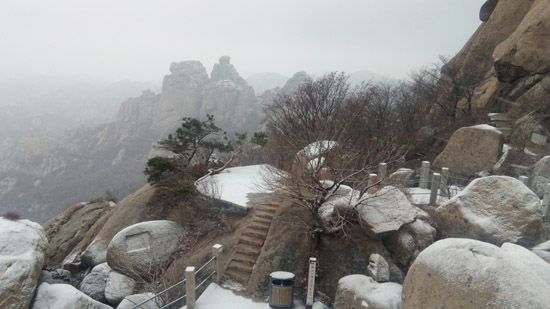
41, 177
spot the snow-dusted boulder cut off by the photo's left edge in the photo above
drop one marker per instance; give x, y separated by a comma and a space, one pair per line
22, 247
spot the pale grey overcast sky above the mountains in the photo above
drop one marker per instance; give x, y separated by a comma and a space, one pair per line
132, 39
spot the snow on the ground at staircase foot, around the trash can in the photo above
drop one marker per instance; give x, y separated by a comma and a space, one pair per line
217, 297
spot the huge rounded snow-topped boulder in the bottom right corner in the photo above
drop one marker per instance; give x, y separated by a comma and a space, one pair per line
466, 273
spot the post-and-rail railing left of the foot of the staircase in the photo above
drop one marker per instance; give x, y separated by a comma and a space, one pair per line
189, 281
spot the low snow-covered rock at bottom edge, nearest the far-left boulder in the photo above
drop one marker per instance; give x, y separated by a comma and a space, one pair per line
64, 296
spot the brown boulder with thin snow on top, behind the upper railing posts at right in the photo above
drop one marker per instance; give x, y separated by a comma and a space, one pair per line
471, 149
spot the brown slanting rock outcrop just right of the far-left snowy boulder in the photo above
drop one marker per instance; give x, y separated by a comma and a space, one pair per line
66, 230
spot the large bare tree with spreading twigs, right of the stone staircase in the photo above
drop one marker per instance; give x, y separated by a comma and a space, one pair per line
321, 138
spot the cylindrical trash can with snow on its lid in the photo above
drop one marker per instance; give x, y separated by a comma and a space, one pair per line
281, 289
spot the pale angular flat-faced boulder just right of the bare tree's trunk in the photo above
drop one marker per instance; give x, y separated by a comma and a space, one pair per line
386, 210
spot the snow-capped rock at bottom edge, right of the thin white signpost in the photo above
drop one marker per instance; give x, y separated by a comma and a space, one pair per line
360, 291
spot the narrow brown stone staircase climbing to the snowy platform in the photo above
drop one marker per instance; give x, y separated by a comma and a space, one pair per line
251, 241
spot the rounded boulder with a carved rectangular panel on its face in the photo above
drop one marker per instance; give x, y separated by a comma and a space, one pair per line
144, 248
